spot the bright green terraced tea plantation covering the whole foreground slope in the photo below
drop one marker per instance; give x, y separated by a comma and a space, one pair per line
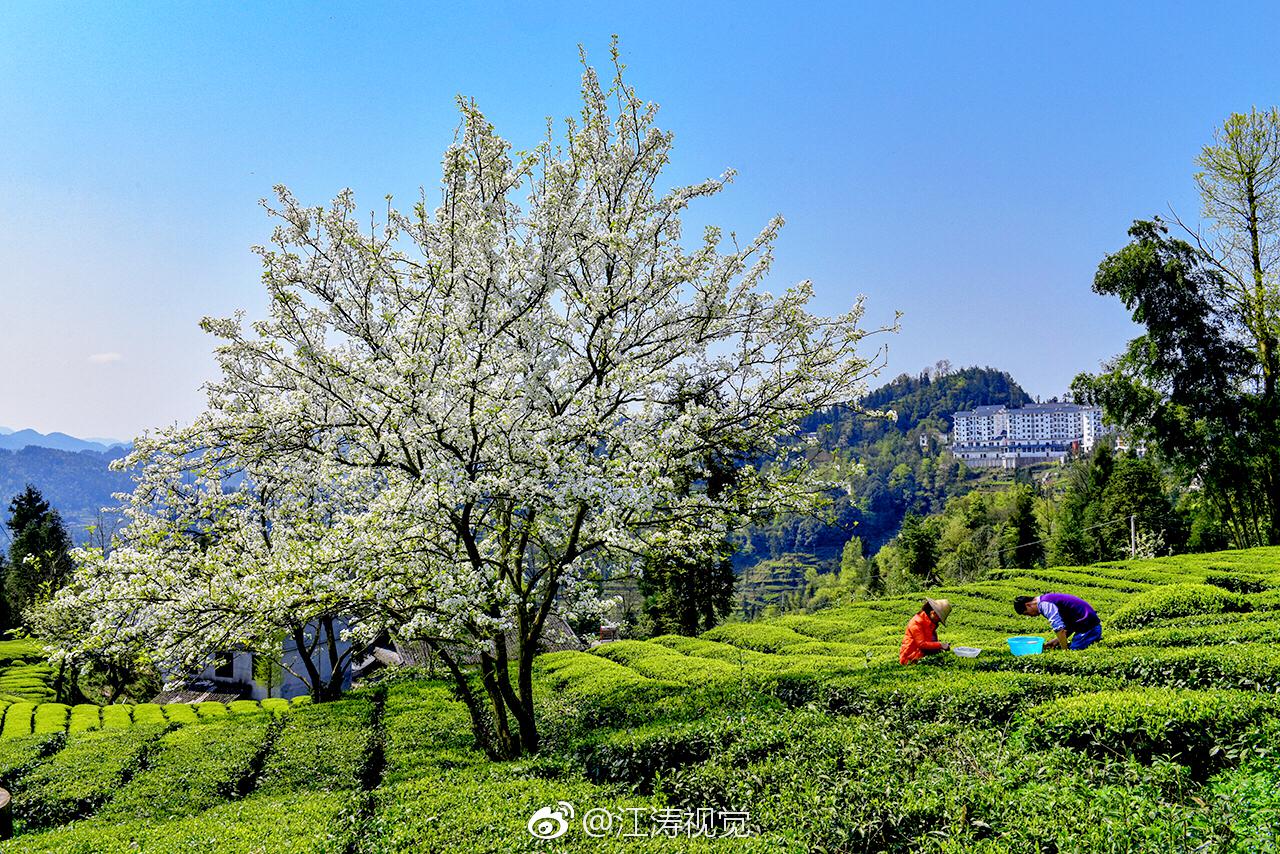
803, 732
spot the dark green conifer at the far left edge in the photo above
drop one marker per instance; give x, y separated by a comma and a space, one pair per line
40, 550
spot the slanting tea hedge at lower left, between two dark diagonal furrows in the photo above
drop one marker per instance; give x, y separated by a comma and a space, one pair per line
194, 769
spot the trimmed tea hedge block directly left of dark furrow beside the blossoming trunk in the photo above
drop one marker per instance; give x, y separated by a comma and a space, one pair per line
323, 747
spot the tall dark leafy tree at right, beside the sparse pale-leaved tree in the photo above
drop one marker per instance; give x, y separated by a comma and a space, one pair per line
1191, 386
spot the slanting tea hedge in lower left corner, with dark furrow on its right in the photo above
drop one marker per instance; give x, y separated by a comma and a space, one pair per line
80, 778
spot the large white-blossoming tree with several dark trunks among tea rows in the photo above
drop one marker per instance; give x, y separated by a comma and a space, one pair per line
454, 417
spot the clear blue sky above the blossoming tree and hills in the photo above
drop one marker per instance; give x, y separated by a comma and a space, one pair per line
968, 165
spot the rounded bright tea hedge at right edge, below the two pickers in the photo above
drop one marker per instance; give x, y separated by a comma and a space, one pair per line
1191, 727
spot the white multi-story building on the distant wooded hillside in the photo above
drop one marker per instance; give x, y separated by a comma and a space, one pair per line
1005, 439
